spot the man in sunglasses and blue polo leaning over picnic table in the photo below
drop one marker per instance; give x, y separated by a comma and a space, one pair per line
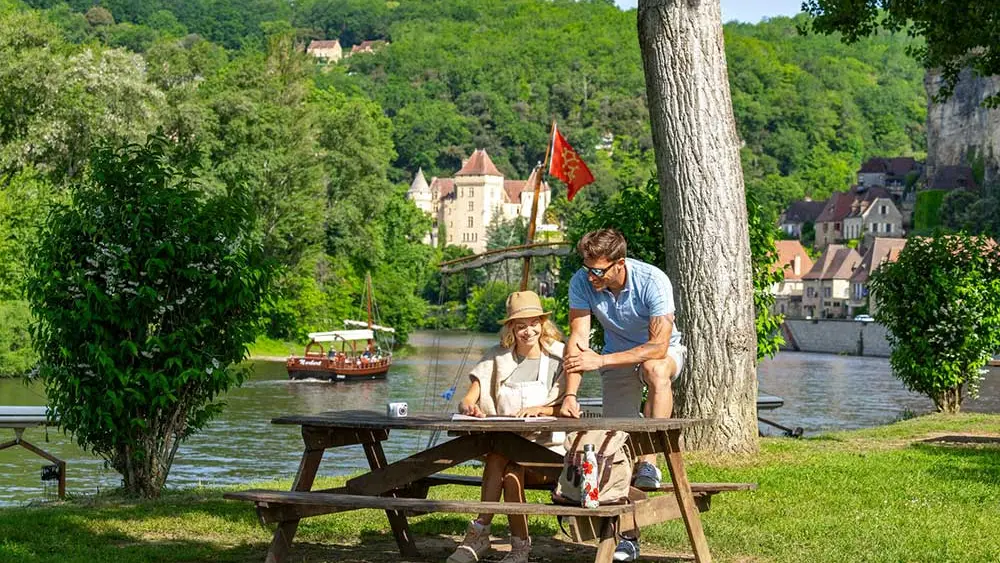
634, 303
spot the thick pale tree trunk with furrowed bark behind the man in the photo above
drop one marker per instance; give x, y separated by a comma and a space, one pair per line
704, 218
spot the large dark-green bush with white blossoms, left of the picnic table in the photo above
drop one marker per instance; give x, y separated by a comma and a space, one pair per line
146, 293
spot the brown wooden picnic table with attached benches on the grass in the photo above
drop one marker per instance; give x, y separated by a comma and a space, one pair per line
400, 488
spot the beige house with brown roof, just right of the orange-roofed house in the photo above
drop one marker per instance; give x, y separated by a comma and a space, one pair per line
827, 286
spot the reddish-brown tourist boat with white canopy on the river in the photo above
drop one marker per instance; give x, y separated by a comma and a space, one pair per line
343, 359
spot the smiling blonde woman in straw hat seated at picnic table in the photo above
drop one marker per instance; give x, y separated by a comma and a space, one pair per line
522, 376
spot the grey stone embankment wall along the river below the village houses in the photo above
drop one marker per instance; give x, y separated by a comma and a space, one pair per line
830, 336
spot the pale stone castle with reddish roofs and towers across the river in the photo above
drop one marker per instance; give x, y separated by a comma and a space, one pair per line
466, 204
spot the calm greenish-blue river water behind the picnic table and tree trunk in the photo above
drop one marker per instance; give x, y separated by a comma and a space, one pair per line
821, 392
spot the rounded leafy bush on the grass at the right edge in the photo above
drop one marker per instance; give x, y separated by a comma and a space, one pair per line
941, 305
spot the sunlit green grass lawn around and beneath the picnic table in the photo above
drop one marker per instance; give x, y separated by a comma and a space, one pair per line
883, 494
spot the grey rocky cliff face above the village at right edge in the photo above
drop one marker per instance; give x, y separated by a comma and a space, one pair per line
961, 128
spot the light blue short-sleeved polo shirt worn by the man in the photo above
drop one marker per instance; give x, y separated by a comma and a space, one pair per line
647, 293
